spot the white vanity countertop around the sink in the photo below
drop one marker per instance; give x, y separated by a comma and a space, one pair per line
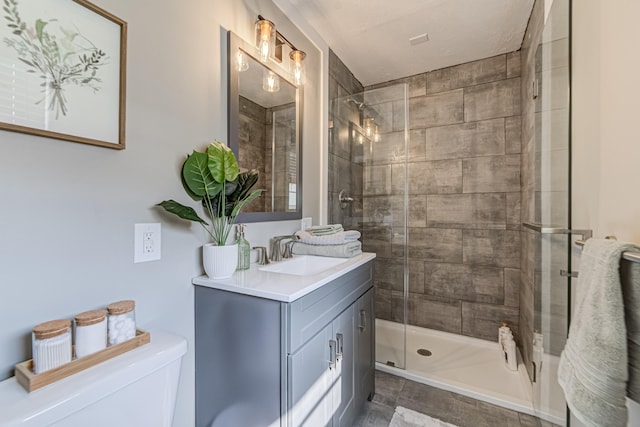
281, 286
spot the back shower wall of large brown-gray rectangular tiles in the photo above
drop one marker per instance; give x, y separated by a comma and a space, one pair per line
463, 171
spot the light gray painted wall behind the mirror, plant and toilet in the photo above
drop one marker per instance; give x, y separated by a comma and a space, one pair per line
66, 229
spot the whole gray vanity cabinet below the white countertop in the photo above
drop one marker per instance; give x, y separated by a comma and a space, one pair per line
262, 362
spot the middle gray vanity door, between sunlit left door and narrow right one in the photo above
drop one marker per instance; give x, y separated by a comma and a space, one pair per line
344, 384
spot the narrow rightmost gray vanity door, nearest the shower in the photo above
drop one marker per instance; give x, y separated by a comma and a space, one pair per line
365, 348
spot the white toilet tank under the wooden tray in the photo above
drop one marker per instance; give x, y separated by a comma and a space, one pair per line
137, 388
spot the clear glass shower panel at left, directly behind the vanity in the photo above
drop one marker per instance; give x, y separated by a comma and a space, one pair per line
368, 146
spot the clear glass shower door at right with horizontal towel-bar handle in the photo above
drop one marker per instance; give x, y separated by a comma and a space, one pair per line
553, 207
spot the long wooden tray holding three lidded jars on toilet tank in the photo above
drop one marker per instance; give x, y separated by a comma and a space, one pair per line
30, 381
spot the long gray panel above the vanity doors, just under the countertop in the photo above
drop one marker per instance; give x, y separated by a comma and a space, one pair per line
311, 313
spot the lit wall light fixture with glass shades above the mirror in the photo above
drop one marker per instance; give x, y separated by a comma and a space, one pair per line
270, 44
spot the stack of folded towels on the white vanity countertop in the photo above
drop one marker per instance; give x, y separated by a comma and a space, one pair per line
328, 240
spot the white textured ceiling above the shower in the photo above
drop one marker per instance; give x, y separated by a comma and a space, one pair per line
372, 36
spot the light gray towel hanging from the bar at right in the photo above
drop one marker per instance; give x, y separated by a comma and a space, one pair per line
593, 365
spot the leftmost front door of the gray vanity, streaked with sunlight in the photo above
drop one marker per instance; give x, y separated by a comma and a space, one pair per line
310, 380
